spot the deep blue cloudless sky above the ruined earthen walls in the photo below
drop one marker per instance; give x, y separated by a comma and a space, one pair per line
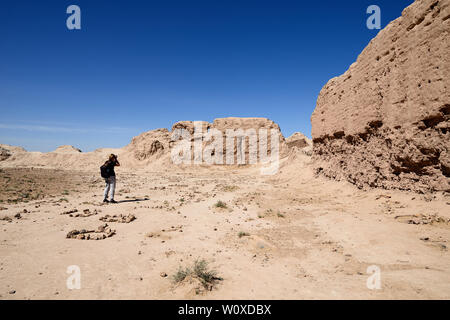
141, 65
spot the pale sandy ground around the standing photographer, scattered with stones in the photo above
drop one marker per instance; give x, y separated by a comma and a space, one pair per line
289, 236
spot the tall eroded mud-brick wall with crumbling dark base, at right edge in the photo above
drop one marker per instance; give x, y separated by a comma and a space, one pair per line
386, 121
